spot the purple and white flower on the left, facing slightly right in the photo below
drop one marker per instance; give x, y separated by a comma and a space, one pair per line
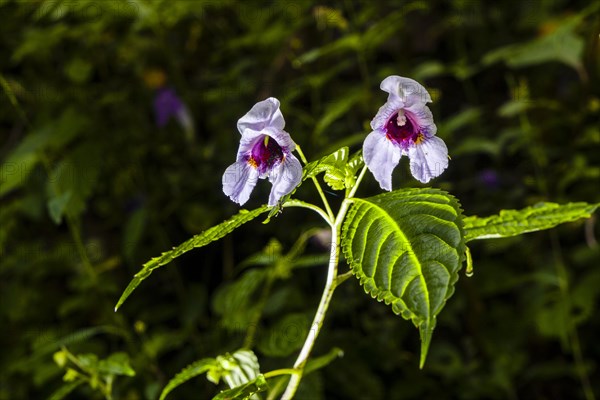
265, 152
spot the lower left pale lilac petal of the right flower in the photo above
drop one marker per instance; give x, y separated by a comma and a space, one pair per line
381, 157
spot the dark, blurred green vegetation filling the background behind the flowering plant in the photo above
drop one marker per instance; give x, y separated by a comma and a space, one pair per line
91, 187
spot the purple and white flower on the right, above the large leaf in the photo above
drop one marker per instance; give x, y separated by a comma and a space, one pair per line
404, 126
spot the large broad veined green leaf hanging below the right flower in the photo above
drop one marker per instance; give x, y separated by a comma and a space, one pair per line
406, 248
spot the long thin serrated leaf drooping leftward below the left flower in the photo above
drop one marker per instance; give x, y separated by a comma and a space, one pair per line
202, 239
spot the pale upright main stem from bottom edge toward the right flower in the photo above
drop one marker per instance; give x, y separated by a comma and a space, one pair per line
330, 286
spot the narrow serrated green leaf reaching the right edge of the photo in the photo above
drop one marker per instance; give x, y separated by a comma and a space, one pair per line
516, 222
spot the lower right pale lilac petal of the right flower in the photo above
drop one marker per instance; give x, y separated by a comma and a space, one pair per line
428, 159
